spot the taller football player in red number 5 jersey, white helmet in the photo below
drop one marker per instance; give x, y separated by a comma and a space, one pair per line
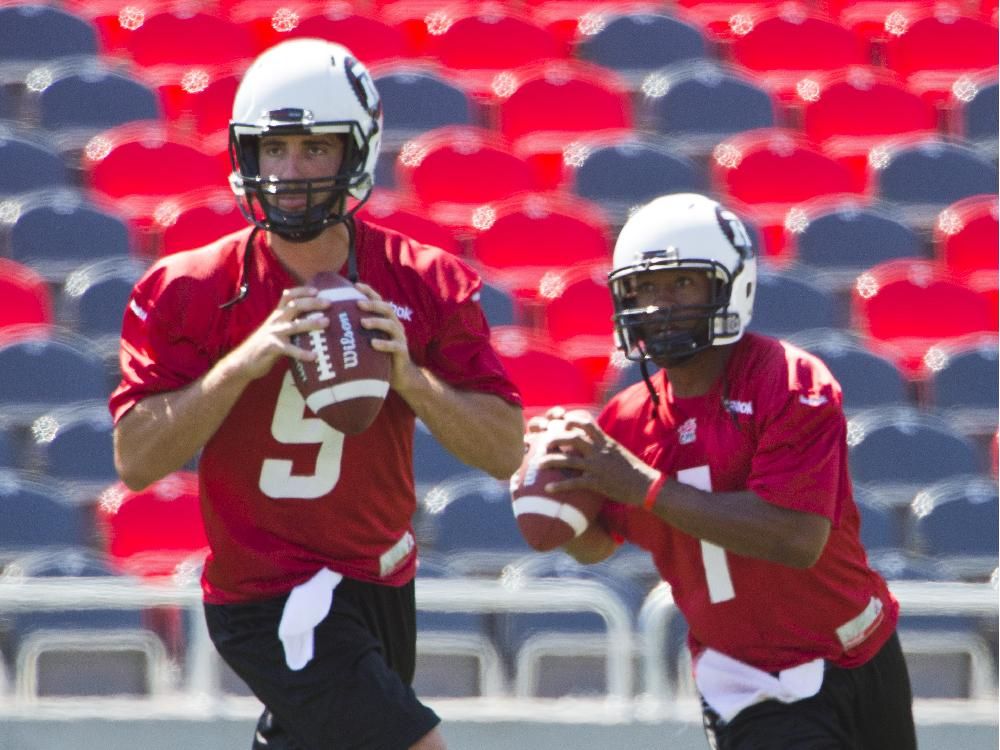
308, 586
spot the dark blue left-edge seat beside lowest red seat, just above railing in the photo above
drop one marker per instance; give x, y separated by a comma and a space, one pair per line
38, 515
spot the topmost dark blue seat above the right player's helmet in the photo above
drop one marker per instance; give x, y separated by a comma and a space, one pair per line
636, 43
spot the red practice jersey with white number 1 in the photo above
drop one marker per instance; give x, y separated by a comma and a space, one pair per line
773, 424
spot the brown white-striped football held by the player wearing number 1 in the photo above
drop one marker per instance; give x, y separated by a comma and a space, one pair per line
548, 520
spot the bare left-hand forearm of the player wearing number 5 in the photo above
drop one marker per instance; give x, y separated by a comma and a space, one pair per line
163, 432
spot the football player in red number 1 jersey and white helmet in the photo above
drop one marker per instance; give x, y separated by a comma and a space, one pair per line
729, 465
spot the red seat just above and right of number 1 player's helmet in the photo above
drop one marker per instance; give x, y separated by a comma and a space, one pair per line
767, 172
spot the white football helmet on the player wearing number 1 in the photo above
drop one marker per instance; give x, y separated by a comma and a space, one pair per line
682, 231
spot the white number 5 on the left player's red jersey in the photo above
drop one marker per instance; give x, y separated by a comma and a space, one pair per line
291, 427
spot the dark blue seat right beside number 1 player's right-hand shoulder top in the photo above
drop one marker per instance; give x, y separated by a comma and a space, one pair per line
868, 379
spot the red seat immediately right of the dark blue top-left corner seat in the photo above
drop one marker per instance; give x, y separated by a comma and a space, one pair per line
151, 39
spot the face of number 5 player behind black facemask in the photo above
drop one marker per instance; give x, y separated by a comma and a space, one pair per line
300, 157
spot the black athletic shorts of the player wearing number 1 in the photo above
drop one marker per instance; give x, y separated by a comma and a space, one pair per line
865, 708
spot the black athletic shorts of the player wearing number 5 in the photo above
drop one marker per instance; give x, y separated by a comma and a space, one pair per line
355, 692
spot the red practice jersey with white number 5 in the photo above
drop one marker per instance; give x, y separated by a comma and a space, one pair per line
282, 493
